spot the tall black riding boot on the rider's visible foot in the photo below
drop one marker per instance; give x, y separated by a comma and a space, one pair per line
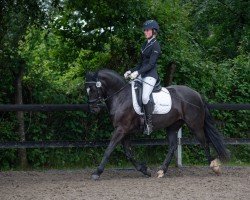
148, 109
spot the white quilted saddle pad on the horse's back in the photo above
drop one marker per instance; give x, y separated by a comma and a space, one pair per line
162, 99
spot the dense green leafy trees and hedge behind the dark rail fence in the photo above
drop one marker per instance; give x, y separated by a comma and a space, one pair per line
60, 40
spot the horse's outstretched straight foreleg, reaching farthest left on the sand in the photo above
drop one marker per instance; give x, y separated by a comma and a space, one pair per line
116, 138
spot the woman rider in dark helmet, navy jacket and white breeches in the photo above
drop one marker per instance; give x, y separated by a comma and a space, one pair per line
146, 69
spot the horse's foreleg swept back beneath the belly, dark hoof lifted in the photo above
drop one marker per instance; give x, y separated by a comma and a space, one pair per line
129, 154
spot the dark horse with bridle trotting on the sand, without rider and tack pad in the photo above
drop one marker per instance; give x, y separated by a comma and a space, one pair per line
187, 107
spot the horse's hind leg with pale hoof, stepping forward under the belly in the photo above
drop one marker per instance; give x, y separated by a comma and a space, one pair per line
172, 139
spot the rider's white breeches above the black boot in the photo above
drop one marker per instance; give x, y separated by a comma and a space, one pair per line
147, 87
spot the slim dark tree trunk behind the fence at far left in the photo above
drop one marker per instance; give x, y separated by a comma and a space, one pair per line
22, 155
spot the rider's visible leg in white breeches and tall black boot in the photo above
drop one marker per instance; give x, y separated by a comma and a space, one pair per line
148, 86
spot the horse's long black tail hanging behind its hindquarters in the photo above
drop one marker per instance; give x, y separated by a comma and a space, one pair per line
214, 136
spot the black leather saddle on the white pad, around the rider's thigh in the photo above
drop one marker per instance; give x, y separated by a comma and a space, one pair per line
138, 91
